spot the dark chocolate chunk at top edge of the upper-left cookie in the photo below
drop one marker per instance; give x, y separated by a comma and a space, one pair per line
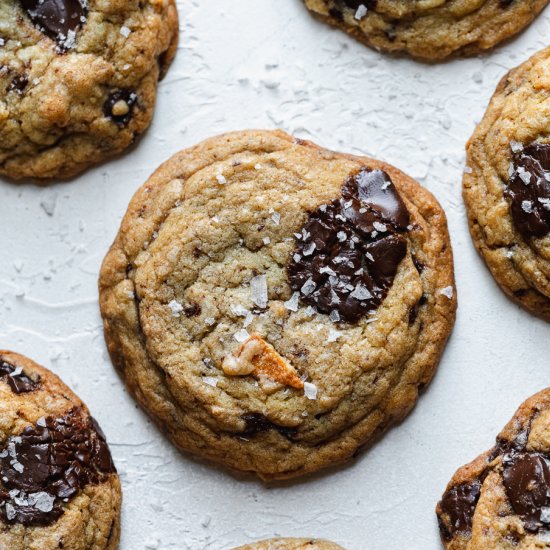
58, 19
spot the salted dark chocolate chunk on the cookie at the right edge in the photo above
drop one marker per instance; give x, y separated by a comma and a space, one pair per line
529, 190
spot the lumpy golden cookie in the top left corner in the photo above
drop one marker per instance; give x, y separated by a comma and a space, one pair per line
78, 80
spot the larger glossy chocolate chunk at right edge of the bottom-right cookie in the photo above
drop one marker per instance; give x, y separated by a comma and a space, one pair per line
527, 482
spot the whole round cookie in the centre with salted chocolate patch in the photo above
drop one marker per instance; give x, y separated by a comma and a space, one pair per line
274, 306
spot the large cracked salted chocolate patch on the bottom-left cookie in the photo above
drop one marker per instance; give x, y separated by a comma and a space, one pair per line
49, 463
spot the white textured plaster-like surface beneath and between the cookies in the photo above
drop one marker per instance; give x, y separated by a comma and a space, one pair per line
267, 64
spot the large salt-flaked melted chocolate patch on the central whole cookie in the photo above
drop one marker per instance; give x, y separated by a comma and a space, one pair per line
348, 252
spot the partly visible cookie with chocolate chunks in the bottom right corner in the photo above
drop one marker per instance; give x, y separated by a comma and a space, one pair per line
501, 500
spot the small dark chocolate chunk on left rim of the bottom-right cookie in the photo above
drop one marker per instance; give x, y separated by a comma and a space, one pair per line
457, 507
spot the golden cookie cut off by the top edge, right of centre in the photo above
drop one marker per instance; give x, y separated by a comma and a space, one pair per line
429, 29
